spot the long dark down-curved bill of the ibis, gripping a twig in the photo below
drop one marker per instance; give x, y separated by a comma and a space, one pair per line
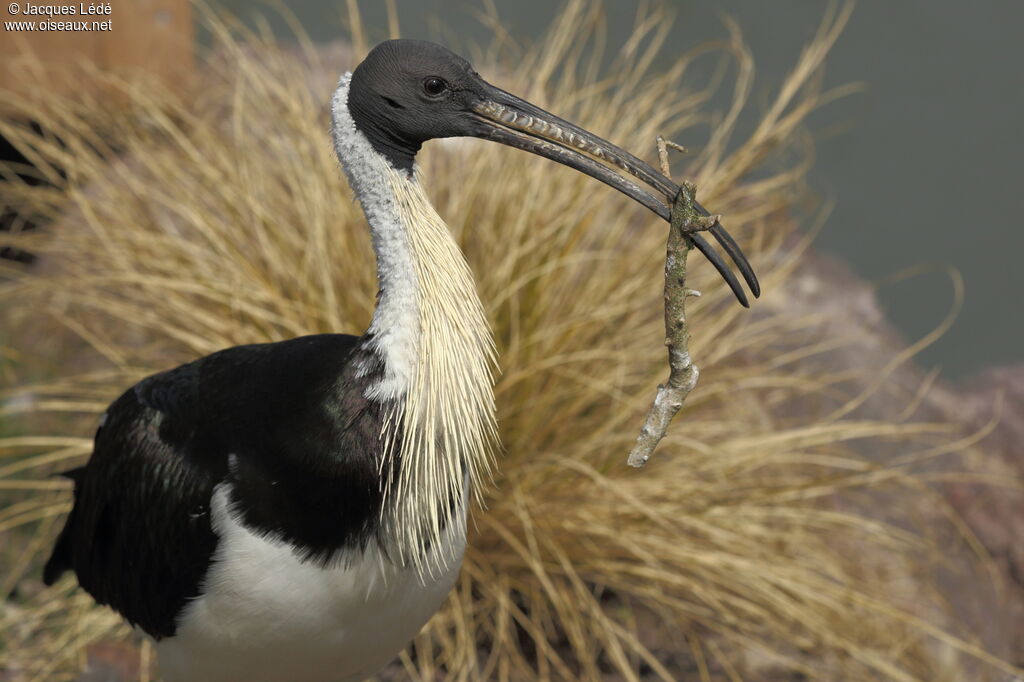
513, 121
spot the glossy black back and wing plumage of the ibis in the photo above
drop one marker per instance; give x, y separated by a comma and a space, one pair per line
286, 424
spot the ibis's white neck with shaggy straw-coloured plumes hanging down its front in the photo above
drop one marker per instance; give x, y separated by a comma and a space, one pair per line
431, 330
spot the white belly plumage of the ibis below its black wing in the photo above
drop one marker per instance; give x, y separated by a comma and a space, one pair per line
266, 617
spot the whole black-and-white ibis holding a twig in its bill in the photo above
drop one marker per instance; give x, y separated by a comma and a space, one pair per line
297, 510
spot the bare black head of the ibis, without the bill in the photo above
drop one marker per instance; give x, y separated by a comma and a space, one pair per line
409, 92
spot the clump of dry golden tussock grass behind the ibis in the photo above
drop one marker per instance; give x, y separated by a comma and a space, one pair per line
219, 218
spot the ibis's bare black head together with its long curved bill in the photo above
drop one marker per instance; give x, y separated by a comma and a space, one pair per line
409, 92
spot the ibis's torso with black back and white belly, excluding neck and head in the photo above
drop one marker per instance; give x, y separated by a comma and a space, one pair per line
258, 576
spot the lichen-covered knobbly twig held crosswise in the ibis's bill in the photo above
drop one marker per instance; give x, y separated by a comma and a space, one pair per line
684, 373
